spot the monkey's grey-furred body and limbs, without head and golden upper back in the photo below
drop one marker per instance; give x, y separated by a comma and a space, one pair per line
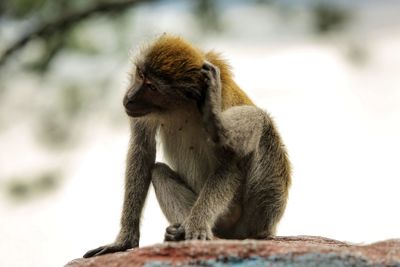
227, 173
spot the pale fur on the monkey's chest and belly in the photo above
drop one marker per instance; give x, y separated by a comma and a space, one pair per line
186, 149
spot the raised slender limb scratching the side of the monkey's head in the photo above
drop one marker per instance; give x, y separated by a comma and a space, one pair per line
211, 108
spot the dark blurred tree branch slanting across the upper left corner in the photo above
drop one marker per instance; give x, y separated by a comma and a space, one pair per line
64, 23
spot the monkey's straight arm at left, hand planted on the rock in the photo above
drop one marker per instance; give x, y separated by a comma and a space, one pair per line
140, 161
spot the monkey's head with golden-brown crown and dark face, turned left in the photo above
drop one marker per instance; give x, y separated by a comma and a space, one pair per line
166, 76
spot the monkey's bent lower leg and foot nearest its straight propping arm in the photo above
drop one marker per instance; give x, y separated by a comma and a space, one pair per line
175, 198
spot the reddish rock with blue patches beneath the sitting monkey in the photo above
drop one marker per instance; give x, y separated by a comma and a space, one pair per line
296, 251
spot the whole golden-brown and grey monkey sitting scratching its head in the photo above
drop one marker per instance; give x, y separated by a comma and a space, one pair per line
226, 173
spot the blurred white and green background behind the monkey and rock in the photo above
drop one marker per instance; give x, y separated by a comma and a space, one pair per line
327, 71
